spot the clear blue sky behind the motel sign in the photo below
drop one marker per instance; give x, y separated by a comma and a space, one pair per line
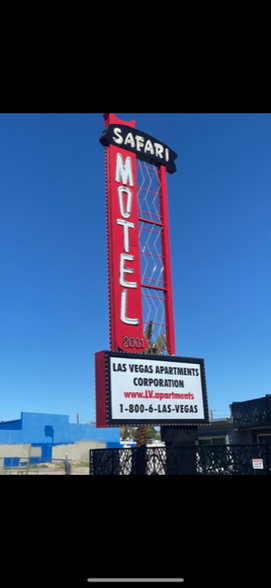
54, 296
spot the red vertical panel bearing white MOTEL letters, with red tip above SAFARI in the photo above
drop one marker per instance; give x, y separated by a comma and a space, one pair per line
125, 302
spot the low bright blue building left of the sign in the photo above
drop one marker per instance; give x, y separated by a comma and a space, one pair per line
54, 435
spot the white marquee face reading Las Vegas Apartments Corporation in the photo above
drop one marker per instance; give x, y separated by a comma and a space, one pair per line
156, 390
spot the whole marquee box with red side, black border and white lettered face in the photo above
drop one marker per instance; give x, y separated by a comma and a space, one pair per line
138, 389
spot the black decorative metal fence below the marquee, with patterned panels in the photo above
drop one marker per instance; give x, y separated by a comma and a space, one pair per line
197, 460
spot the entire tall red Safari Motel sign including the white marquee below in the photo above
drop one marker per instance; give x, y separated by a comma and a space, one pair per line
140, 380
